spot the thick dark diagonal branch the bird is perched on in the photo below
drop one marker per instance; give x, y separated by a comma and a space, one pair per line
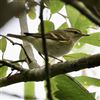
39, 74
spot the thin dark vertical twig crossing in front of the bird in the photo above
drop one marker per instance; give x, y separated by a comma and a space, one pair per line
49, 95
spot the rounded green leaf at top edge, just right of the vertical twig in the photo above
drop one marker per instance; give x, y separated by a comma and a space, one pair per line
55, 5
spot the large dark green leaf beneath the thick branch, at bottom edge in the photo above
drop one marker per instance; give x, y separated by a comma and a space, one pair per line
67, 88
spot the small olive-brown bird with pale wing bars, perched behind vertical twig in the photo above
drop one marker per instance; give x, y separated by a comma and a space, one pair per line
59, 42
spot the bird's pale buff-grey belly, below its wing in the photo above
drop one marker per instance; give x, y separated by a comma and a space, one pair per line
54, 48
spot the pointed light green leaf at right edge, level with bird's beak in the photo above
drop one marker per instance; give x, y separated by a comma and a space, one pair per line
93, 39
